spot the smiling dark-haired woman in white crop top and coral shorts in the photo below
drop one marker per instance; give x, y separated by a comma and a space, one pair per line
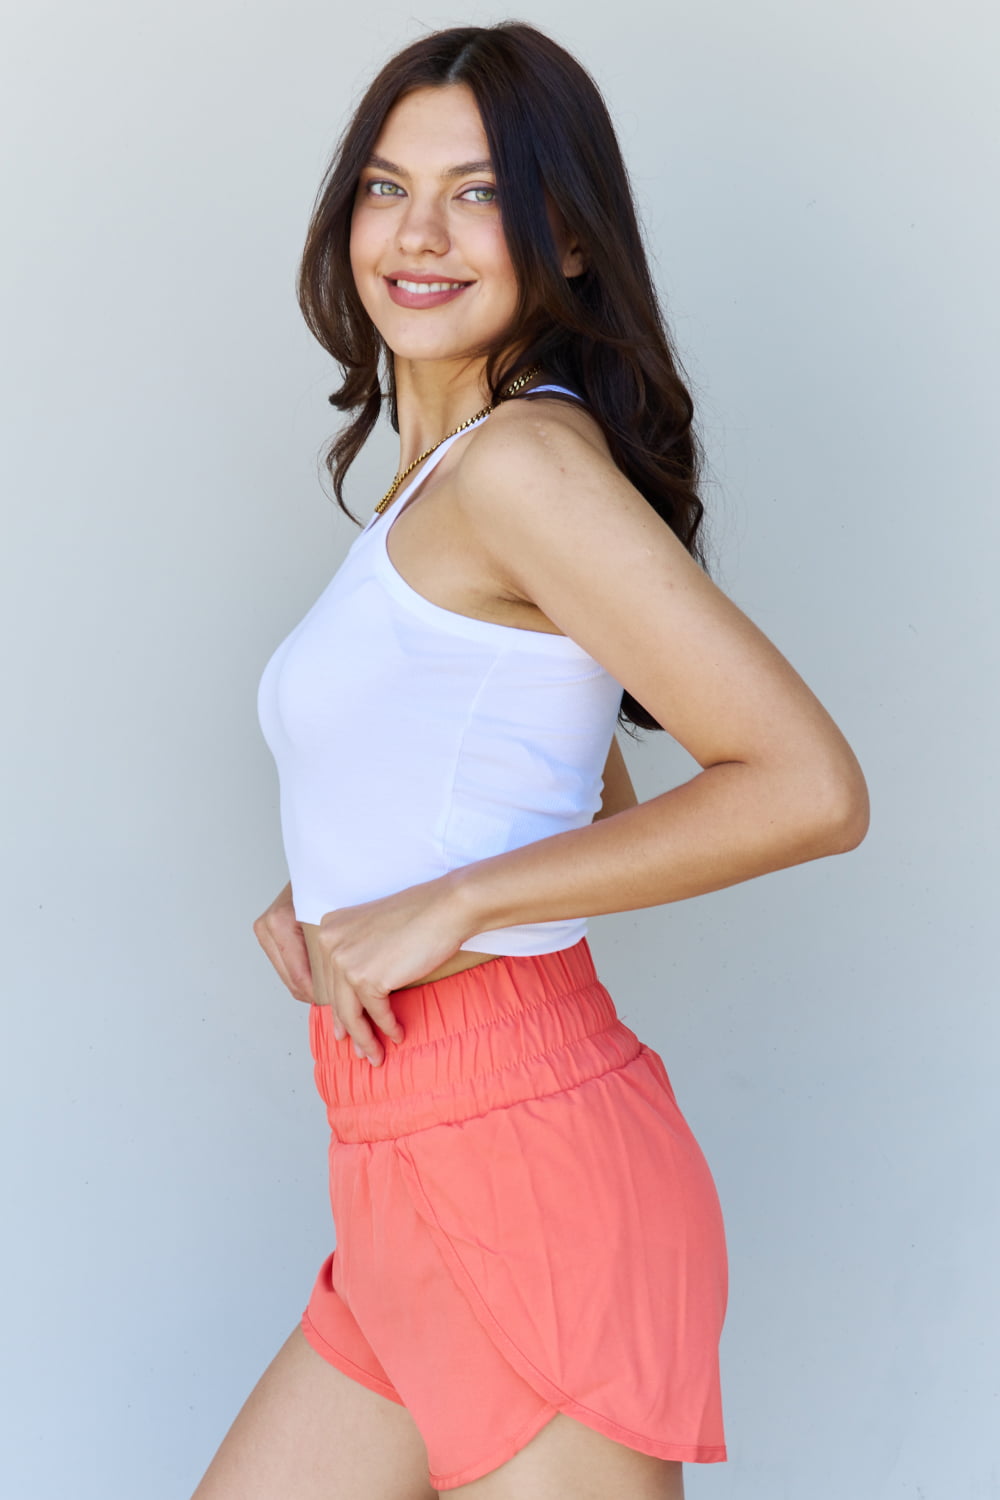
530, 1280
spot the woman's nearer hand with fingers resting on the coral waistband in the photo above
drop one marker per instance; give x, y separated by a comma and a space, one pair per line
377, 947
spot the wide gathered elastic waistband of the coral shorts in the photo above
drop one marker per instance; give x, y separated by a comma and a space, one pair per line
501, 1033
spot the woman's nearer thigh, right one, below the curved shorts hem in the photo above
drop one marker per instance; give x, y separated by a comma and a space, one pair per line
570, 1459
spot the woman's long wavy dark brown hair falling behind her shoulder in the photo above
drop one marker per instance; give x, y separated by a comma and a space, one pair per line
603, 332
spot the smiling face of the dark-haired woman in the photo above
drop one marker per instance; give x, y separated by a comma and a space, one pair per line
427, 211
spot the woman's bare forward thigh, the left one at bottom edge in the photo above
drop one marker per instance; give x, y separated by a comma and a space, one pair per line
310, 1433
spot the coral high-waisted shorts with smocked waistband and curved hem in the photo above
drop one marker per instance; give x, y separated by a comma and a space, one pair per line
525, 1223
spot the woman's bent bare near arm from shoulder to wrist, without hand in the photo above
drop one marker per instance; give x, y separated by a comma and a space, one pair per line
779, 782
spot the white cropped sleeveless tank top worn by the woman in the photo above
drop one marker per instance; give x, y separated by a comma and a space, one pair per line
412, 740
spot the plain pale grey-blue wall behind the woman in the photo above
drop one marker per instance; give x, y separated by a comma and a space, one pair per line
818, 185
